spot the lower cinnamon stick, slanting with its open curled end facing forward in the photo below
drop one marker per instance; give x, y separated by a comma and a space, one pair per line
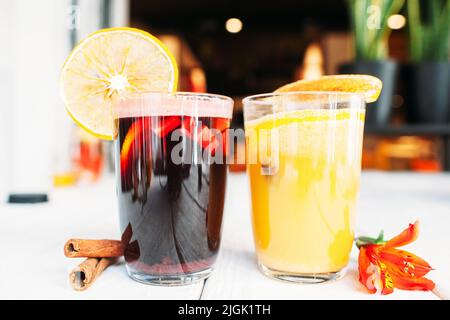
85, 274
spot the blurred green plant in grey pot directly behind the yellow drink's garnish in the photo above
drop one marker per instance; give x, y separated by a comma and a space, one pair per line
371, 34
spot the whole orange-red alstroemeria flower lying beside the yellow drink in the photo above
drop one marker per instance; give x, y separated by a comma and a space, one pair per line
384, 267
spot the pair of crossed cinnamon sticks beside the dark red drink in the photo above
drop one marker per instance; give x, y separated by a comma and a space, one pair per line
99, 255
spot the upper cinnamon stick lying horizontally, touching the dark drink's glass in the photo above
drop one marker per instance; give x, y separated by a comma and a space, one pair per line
84, 248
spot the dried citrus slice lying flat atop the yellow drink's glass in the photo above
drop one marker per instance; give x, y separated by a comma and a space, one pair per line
368, 86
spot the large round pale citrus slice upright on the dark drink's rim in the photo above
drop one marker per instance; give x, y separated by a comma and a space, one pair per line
107, 65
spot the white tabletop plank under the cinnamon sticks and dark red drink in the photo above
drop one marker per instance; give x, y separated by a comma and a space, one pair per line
32, 239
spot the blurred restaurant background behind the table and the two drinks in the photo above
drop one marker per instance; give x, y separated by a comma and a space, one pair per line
235, 48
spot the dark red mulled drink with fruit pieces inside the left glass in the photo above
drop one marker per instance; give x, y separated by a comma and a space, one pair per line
170, 212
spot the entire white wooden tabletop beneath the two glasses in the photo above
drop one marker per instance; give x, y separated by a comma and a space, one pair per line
32, 263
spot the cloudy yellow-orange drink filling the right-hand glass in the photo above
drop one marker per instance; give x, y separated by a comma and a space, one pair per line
304, 202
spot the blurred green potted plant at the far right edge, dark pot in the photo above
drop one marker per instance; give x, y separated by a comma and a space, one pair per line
427, 78
